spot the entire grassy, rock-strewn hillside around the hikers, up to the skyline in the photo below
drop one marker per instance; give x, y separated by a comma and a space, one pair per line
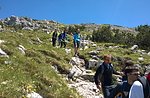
31, 66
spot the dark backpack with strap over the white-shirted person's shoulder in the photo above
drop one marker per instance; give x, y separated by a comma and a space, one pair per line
146, 86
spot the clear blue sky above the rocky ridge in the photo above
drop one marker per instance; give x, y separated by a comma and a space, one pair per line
129, 13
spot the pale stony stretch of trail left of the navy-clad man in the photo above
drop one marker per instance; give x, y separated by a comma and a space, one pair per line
83, 80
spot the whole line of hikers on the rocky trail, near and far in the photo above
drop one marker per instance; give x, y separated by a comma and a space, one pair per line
133, 84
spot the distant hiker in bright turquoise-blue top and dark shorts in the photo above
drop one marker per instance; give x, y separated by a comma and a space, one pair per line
76, 41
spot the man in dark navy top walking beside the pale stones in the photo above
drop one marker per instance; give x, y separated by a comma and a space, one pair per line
103, 76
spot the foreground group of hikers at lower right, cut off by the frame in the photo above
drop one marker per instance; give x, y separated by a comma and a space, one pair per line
133, 85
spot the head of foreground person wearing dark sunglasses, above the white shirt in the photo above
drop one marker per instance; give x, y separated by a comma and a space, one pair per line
132, 72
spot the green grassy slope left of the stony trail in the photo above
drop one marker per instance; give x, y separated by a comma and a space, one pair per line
32, 71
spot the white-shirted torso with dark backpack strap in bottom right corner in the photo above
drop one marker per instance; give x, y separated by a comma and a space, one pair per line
141, 87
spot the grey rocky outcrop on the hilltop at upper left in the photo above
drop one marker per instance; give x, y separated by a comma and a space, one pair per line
26, 23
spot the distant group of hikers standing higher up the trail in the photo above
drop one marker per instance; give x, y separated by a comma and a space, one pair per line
62, 39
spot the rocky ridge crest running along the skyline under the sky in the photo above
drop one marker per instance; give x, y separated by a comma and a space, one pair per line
26, 23
